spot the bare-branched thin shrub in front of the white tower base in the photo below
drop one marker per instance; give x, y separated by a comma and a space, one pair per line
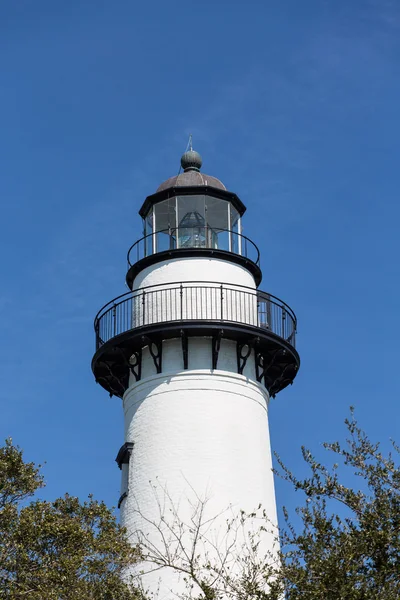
213, 556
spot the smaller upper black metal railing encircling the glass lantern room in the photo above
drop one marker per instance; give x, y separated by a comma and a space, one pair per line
193, 237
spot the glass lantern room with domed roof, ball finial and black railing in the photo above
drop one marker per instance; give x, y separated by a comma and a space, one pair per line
192, 213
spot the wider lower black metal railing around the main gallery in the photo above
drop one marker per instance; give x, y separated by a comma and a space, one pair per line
188, 301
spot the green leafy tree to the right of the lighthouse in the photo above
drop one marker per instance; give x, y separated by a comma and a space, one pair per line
348, 546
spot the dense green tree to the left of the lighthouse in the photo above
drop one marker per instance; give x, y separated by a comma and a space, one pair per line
57, 550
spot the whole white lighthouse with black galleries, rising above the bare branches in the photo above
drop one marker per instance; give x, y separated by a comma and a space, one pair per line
195, 351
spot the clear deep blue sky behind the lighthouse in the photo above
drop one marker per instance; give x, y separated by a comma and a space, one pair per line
294, 105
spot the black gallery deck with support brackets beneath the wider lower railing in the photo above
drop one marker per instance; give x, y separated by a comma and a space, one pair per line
276, 360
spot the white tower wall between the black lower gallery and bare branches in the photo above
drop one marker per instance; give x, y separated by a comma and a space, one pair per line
207, 429
